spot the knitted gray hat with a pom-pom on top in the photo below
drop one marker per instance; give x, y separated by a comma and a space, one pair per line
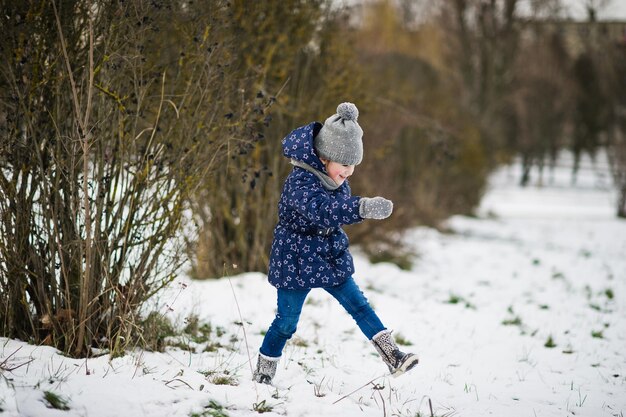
340, 139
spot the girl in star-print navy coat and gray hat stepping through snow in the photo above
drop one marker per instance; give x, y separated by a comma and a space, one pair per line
310, 249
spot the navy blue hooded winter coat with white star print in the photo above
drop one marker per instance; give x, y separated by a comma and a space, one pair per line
310, 249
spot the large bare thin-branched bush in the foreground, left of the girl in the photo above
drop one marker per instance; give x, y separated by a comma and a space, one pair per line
111, 115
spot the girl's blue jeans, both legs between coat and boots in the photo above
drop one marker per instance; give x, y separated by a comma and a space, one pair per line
290, 304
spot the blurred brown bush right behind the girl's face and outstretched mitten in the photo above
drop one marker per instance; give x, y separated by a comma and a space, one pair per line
422, 149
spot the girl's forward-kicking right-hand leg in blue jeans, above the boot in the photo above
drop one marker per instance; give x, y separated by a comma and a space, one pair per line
352, 299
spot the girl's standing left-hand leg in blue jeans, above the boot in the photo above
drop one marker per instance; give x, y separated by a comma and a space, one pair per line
289, 307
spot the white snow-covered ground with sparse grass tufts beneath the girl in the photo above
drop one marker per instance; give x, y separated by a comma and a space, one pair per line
517, 312
